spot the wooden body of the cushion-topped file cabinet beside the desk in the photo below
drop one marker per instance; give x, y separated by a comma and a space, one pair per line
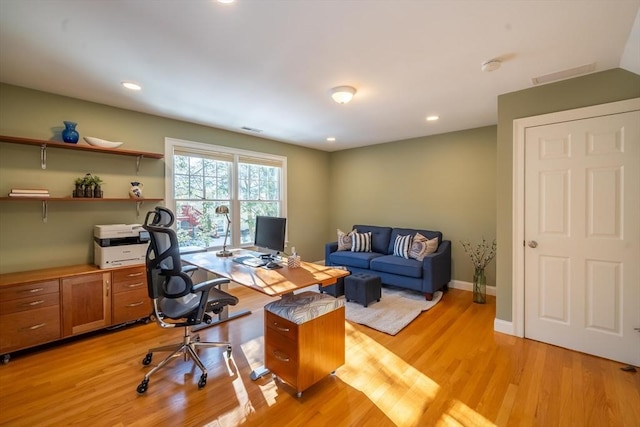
302, 355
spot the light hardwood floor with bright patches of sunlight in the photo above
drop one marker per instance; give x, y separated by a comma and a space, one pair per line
446, 368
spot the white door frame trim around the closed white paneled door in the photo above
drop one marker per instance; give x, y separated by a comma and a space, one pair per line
518, 208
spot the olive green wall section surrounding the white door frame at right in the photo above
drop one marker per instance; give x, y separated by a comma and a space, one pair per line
598, 88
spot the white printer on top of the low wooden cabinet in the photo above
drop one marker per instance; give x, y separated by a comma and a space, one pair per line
118, 245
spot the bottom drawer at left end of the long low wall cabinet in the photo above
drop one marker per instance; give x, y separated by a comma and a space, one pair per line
28, 328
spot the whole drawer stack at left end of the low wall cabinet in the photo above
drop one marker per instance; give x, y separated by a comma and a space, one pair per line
29, 315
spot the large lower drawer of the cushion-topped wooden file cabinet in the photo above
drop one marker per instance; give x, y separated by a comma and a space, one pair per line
281, 356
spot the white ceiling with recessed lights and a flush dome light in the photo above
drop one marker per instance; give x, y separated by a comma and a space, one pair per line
269, 64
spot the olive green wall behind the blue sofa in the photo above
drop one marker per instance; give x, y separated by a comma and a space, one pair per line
444, 182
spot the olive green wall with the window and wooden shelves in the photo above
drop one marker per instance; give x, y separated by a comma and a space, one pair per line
27, 243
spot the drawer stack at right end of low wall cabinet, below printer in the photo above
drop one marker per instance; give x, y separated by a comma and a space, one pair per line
130, 298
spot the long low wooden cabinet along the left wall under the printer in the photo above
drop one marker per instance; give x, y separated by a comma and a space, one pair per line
41, 306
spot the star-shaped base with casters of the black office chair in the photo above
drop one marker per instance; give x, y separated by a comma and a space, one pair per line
186, 348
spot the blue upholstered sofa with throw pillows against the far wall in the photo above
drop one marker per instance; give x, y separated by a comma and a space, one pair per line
431, 274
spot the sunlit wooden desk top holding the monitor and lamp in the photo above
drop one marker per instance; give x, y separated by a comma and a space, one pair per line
270, 282
